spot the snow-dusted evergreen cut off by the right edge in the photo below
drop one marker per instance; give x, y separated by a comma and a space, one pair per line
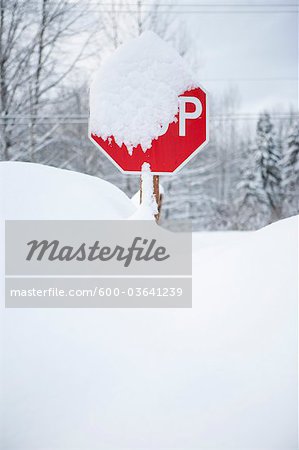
290, 171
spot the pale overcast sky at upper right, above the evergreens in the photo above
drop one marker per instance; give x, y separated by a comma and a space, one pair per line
258, 52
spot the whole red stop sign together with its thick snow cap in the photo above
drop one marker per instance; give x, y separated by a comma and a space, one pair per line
147, 107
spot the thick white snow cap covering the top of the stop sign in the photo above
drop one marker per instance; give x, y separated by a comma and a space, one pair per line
135, 92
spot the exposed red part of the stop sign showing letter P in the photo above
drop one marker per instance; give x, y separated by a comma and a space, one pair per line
174, 148
